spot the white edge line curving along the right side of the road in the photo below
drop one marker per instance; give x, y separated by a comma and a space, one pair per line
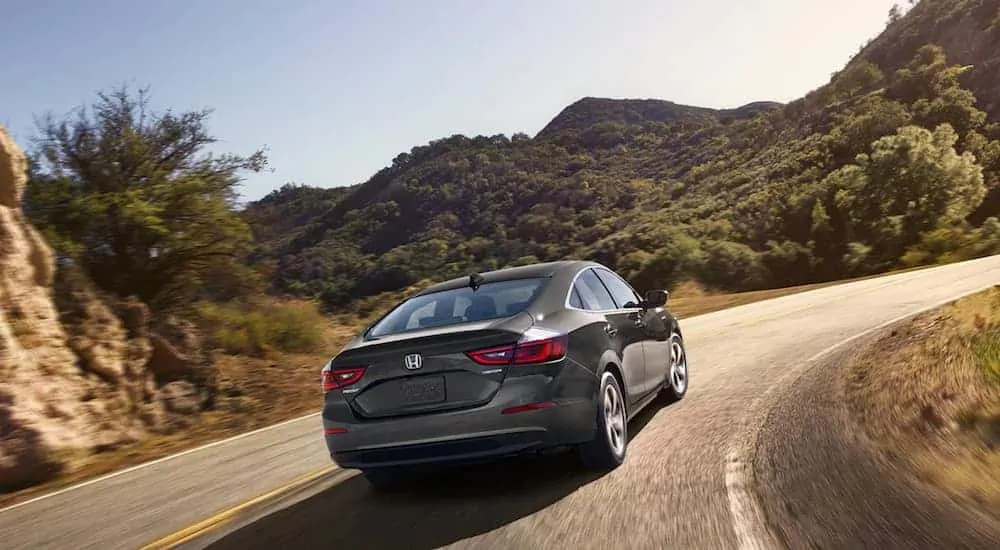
752, 531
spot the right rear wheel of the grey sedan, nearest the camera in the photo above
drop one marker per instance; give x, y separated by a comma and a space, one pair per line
604, 452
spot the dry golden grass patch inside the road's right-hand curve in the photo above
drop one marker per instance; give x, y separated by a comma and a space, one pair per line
929, 396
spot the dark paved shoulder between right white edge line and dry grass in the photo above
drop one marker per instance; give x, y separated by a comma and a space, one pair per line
823, 482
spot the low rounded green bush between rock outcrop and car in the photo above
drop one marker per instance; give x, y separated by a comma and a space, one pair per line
257, 328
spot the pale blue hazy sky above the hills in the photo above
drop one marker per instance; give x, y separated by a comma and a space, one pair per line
334, 89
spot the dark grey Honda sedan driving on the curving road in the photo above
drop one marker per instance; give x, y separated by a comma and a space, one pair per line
513, 361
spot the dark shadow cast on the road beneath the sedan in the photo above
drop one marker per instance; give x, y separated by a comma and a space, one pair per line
437, 511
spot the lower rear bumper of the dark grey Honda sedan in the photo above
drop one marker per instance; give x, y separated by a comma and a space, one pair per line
461, 436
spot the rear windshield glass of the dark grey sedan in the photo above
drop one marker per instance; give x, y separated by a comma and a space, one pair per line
461, 305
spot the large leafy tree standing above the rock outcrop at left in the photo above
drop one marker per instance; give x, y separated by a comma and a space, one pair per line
135, 197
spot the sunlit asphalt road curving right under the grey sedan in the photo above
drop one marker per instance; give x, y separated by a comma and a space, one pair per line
687, 481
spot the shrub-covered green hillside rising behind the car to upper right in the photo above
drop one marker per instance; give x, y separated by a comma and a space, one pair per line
893, 162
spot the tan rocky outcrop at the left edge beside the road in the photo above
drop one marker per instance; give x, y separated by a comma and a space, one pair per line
78, 369
